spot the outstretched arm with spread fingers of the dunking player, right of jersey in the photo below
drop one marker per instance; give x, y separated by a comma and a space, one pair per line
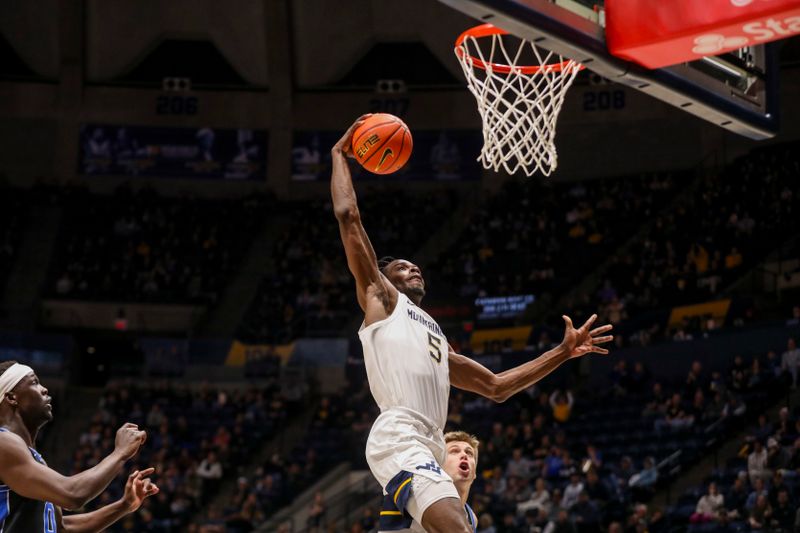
471, 376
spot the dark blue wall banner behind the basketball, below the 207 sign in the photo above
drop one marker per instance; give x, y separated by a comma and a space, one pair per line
446, 155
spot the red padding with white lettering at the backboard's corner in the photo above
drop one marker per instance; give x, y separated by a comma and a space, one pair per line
658, 33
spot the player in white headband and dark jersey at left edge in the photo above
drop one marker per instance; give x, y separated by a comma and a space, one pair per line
31, 494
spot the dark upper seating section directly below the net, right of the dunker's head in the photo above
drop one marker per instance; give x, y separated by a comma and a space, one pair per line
539, 237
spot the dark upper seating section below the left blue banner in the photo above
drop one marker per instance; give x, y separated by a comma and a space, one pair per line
139, 246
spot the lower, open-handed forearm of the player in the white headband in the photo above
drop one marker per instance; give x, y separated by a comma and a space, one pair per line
137, 489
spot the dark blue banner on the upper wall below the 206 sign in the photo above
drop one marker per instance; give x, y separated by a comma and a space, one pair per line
211, 153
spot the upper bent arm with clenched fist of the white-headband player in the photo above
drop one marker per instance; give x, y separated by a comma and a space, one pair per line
33, 480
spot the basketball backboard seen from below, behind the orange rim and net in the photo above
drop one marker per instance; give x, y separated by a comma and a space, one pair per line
736, 90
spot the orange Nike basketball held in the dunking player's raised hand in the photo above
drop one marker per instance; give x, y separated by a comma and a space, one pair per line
382, 144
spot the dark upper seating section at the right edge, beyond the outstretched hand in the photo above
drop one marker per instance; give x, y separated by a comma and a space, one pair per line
706, 241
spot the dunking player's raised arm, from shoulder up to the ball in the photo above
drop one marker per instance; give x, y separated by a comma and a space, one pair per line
370, 283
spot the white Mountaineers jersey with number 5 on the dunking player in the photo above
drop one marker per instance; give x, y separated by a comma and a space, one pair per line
406, 358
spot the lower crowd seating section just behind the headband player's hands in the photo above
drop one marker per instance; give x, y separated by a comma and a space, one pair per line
189, 430
